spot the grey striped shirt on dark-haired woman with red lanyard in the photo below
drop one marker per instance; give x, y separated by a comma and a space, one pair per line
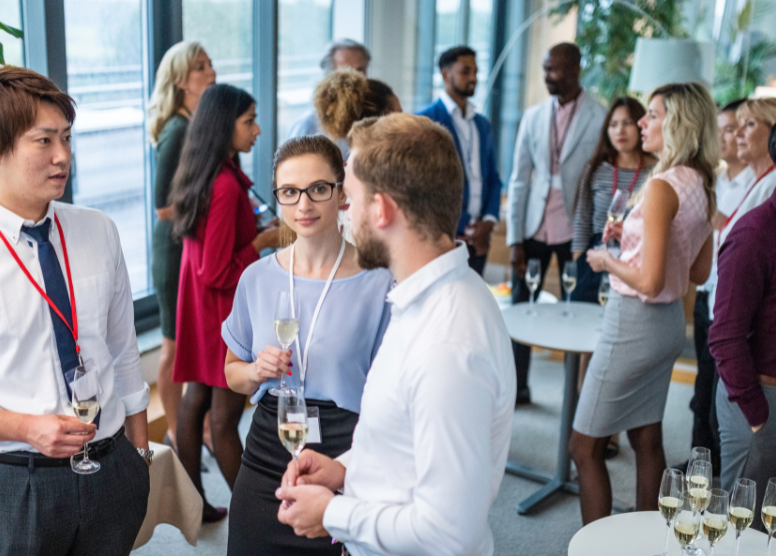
593, 203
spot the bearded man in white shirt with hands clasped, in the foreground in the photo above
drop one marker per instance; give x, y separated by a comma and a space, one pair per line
431, 443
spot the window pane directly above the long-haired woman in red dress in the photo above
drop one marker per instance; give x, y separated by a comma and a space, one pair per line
225, 29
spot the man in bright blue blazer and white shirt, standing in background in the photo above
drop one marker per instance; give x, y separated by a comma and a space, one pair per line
474, 141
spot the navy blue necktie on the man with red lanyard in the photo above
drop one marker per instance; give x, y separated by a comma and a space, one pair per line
56, 289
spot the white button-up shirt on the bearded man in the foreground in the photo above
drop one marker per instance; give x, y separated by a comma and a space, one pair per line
431, 443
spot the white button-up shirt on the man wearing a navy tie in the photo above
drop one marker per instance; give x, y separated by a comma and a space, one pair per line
30, 373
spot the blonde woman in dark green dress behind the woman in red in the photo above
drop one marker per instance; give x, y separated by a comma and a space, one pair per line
184, 73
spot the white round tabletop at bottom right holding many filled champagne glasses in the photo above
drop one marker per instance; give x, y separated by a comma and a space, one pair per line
644, 534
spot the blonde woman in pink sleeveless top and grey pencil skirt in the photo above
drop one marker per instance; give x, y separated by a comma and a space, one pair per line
666, 243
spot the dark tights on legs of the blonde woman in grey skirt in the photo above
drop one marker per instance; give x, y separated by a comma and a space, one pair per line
595, 488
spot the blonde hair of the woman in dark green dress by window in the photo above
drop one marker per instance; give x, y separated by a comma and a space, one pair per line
167, 98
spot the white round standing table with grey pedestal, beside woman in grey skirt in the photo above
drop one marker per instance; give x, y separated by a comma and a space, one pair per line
575, 335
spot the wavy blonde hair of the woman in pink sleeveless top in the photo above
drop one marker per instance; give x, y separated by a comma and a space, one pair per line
689, 134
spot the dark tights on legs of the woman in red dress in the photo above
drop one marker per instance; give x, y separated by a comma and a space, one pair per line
226, 408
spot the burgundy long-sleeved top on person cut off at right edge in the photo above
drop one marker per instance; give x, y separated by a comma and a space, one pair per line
742, 335
